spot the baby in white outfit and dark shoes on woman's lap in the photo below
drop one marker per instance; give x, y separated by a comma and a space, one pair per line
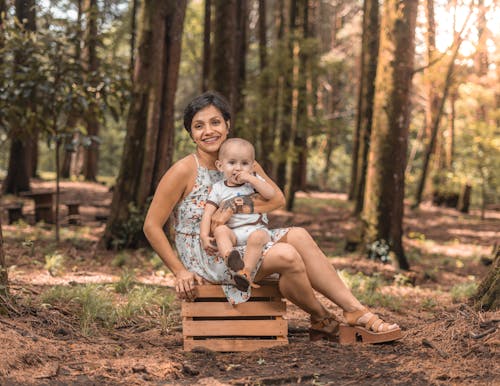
236, 161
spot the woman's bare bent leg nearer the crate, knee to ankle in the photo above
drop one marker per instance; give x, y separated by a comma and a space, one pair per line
294, 283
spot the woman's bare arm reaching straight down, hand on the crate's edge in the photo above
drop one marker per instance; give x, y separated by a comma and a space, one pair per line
170, 190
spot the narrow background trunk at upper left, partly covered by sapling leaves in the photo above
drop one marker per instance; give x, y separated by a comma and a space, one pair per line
91, 66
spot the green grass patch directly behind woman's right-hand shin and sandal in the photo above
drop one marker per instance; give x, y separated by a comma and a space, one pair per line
368, 290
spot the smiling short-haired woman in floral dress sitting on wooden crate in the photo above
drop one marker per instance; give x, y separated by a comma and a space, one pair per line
292, 253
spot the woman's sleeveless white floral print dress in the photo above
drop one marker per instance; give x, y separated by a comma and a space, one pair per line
187, 219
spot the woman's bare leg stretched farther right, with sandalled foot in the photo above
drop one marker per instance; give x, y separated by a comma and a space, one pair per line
323, 276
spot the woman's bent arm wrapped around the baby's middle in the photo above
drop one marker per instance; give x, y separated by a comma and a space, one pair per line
254, 203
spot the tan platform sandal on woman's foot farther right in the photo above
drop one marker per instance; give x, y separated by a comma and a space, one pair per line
367, 332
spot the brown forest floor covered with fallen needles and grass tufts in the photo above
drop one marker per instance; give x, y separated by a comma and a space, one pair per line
81, 315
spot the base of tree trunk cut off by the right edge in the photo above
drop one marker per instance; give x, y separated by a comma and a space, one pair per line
487, 297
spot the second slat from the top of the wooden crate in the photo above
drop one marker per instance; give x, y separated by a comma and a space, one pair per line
222, 309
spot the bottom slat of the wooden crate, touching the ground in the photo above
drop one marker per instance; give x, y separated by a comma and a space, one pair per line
233, 345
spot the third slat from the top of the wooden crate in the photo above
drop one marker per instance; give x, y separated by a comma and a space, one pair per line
235, 328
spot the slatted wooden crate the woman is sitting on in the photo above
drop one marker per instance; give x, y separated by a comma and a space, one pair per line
211, 322
